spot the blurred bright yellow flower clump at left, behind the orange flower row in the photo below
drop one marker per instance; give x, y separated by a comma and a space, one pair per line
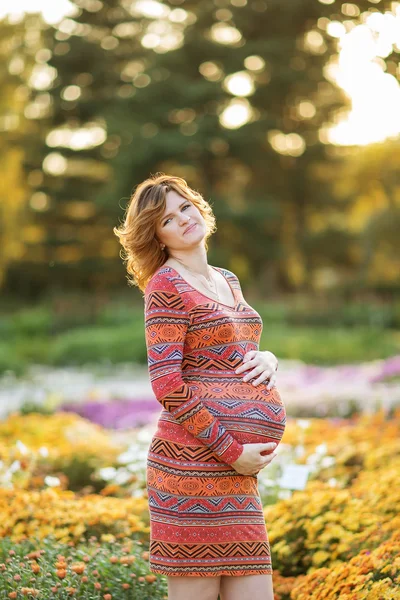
62, 449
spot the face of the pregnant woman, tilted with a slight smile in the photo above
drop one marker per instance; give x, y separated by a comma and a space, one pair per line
180, 214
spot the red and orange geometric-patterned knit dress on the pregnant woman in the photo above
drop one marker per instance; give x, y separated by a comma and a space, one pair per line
206, 519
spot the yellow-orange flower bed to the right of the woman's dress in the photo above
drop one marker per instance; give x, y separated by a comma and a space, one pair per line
339, 538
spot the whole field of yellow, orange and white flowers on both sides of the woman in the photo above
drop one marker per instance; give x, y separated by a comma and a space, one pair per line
336, 538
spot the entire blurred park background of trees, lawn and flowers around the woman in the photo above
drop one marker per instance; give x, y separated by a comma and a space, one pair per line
285, 115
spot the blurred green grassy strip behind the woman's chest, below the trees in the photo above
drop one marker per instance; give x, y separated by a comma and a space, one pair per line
302, 330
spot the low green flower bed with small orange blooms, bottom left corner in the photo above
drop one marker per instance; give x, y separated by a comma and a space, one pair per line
106, 569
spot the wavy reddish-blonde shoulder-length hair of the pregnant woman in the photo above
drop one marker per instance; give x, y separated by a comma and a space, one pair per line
141, 250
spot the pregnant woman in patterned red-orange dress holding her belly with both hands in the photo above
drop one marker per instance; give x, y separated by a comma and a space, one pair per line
222, 415
